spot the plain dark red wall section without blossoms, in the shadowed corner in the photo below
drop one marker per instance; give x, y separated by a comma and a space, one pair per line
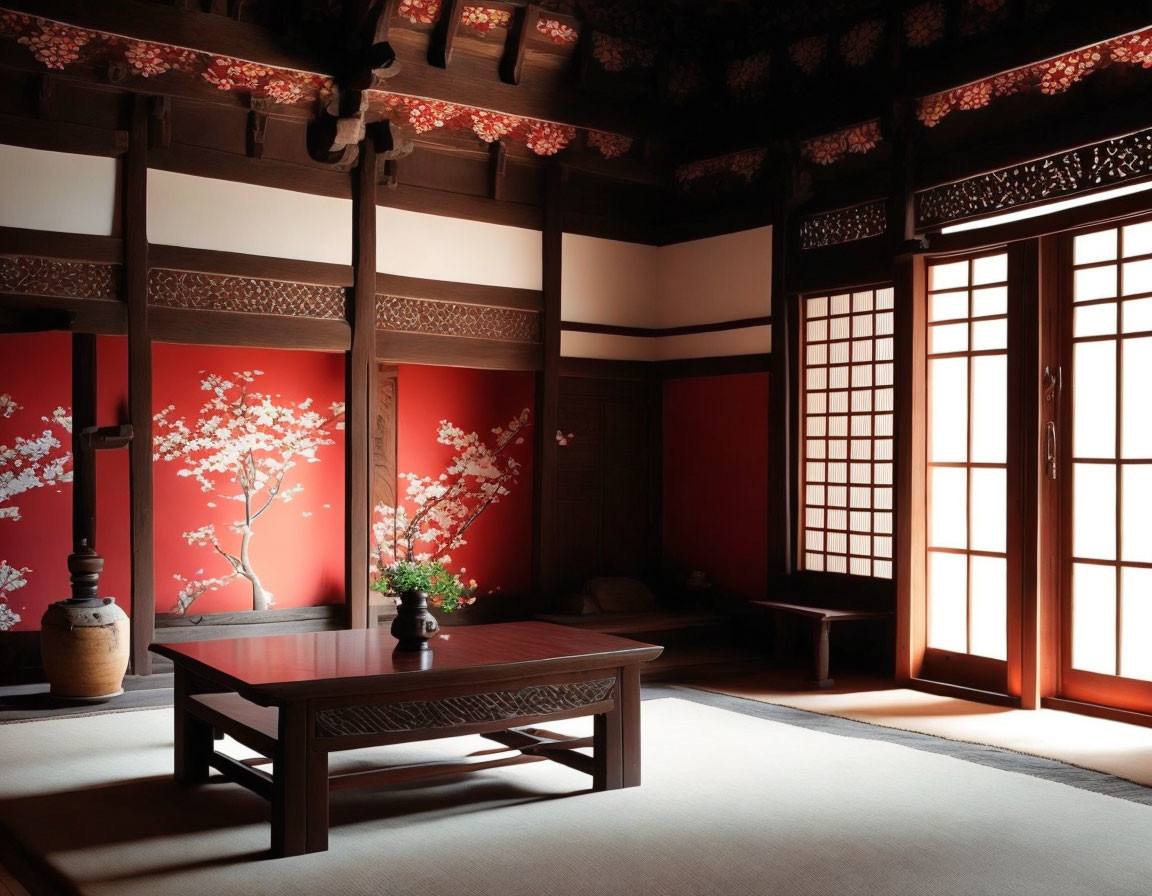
716, 480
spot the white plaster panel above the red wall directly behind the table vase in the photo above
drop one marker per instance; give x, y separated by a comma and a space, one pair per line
438, 248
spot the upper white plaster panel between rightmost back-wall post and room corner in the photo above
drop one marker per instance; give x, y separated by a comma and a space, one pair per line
607, 282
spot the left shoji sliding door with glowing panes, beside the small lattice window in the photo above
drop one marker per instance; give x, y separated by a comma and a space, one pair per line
968, 581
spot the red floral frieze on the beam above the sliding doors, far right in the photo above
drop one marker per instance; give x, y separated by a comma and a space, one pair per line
1049, 78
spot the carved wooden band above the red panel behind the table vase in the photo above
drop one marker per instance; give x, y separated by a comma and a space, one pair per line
456, 320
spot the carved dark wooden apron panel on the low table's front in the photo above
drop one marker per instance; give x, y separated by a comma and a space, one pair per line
449, 712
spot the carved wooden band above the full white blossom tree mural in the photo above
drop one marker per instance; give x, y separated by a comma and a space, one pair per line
222, 293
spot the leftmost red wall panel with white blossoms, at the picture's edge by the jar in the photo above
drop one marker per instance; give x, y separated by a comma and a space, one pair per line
35, 522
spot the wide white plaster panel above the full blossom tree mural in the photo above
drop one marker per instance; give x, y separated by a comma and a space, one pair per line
209, 214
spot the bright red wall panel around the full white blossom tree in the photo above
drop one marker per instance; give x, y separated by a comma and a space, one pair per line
297, 548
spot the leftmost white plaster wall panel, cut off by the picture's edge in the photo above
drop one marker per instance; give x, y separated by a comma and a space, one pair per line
59, 192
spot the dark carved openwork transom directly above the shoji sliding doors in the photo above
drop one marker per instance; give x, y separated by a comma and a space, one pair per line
1116, 162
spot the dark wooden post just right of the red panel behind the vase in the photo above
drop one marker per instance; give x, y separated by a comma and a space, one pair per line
548, 393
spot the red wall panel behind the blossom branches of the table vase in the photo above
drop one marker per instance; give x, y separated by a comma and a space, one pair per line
499, 550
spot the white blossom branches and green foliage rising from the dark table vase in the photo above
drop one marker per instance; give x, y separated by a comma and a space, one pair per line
414, 541
